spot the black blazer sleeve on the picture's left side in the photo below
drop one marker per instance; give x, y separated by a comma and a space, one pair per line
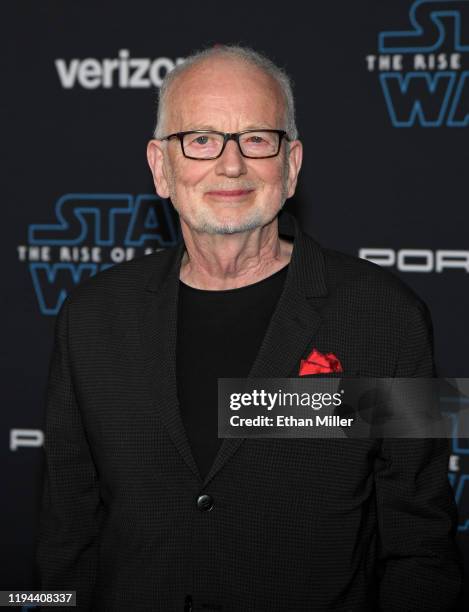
70, 516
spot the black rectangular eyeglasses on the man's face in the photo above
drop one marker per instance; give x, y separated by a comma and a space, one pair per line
206, 144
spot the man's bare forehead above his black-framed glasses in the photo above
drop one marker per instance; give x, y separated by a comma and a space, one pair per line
226, 95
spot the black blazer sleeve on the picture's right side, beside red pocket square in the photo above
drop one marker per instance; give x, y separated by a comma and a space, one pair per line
420, 566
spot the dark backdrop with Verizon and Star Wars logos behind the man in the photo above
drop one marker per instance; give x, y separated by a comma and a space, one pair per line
382, 97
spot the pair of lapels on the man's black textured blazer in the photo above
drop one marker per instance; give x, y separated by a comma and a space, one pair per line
291, 331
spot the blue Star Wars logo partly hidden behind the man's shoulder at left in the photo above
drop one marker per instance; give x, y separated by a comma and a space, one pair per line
92, 232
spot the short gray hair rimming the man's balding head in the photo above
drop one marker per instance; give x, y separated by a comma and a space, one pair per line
243, 54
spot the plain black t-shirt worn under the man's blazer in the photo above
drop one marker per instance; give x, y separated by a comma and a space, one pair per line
219, 334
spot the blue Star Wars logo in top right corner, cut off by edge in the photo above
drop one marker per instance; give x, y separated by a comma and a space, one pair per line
421, 69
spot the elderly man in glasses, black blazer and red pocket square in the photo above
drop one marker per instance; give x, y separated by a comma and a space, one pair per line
144, 507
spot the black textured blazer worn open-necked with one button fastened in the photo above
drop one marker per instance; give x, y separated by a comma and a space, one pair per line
346, 525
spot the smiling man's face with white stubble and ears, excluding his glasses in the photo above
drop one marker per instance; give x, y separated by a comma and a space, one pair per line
232, 193
